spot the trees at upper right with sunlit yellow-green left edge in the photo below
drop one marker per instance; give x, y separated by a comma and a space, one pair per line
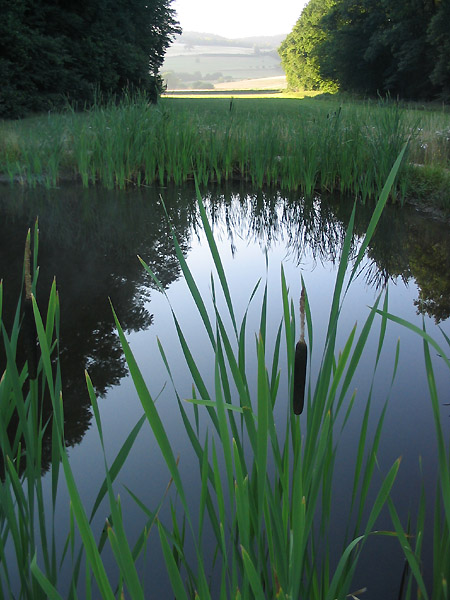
401, 47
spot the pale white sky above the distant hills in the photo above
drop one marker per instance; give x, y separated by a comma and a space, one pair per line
238, 18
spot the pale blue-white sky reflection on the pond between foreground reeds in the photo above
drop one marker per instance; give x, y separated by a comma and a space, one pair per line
408, 431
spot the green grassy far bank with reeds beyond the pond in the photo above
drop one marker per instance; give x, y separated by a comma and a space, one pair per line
289, 143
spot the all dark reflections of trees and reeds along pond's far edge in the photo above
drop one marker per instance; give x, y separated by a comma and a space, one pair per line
90, 239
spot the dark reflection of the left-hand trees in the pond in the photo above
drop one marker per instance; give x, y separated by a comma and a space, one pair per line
89, 241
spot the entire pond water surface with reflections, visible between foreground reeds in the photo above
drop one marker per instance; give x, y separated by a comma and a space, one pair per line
89, 241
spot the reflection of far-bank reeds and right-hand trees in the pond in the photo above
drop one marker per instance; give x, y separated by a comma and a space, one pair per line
405, 245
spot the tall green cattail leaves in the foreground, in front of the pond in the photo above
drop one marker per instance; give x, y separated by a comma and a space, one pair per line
266, 496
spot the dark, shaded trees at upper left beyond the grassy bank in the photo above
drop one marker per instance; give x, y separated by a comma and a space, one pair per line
54, 50
